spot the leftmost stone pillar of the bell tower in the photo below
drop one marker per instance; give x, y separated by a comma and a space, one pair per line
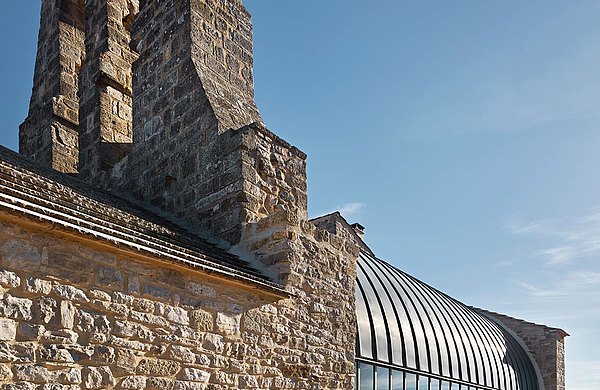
49, 134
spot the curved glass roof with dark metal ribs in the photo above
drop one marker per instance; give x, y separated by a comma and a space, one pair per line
404, 323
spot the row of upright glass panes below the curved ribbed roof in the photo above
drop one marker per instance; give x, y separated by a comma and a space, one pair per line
372, 377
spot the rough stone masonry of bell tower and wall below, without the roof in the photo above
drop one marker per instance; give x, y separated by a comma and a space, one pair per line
154, 100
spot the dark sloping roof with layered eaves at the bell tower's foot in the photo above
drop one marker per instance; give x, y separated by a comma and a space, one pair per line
41, 193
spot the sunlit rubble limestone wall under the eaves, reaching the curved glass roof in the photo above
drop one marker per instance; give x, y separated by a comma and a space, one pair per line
75, 314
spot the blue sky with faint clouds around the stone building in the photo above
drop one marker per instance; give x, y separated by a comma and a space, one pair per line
463, 135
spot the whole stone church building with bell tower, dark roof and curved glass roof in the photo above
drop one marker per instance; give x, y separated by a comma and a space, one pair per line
154, 234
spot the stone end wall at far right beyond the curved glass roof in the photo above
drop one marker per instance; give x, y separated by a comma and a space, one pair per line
547, 345
